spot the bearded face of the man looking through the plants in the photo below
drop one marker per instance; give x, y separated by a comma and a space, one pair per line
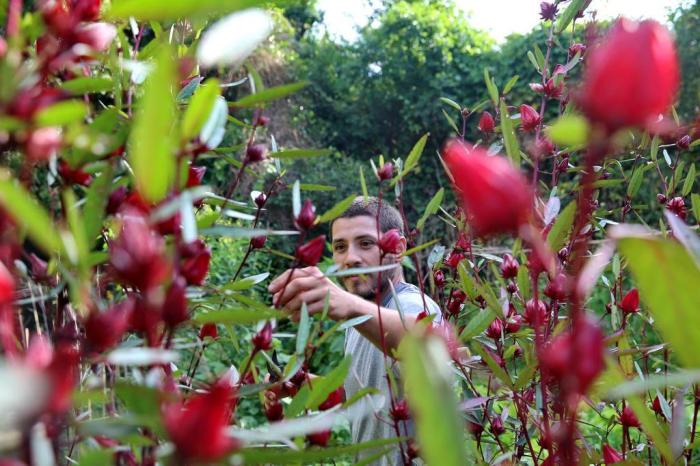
355, 245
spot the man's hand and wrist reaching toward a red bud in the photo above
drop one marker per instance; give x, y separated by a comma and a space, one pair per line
310, 286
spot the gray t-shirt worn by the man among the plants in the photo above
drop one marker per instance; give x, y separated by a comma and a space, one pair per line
367, 369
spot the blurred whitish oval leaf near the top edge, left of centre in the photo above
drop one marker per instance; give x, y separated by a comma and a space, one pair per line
231, 39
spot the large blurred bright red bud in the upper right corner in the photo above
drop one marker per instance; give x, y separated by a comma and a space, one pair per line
614, 93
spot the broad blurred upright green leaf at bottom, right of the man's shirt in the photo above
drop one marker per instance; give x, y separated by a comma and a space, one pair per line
428, 388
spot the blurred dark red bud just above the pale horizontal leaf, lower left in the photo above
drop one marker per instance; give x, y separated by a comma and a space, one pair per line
103, 330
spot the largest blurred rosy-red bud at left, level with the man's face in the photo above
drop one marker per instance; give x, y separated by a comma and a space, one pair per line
138, 254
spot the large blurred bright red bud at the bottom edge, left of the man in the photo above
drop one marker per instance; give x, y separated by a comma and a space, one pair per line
198, 428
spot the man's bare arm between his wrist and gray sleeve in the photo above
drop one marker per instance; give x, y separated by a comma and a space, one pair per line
392, 325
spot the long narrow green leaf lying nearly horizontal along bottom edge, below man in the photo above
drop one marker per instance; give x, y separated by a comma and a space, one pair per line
267, 455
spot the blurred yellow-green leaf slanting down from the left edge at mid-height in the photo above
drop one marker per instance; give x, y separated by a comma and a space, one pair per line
28, 213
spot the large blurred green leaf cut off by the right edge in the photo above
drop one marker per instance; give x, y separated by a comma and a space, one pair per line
669, 283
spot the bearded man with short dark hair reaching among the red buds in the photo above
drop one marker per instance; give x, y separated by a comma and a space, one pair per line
355, 244
